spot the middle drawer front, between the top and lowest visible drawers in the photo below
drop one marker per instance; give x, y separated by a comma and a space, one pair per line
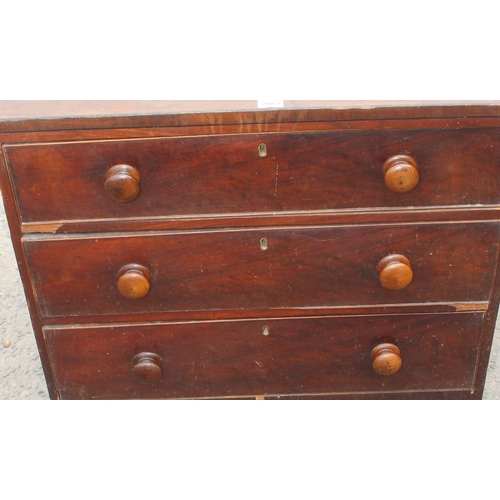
260, 269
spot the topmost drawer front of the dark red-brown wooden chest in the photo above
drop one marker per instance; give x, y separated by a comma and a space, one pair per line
192, 176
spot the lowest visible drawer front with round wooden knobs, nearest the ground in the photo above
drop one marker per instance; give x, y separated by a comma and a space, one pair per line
265, 357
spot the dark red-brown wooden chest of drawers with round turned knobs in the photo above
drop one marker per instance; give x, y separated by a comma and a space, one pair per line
211, 249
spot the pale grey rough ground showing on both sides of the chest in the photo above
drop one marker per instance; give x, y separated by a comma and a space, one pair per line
21, 375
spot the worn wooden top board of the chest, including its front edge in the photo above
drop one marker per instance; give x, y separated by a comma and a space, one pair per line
67, 115
